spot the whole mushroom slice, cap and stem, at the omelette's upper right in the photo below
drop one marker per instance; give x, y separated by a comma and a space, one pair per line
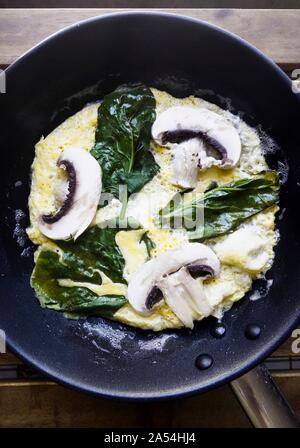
198, 137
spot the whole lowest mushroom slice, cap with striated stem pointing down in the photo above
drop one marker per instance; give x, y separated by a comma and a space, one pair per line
160, 275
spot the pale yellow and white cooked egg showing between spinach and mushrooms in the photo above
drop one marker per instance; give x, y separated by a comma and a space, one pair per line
245, 254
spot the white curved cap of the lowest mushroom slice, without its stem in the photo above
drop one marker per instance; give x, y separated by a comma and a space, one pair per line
153, 271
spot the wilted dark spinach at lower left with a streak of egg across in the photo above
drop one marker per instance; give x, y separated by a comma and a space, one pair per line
95, 250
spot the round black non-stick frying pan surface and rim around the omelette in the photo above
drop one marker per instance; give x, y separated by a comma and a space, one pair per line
57, 78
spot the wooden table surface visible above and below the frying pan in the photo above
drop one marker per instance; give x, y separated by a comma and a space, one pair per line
27, 399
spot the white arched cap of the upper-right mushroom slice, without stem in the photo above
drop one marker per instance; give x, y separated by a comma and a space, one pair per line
213, 128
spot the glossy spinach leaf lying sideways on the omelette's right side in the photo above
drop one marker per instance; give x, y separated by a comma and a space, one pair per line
224, 208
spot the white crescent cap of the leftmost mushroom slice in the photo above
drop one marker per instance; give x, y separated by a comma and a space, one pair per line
81, 199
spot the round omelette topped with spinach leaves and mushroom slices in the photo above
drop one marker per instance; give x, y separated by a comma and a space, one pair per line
164, 277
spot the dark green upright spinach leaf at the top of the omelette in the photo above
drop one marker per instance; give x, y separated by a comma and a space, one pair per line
122, 139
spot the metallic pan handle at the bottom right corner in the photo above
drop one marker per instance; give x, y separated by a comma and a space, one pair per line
262, 400
